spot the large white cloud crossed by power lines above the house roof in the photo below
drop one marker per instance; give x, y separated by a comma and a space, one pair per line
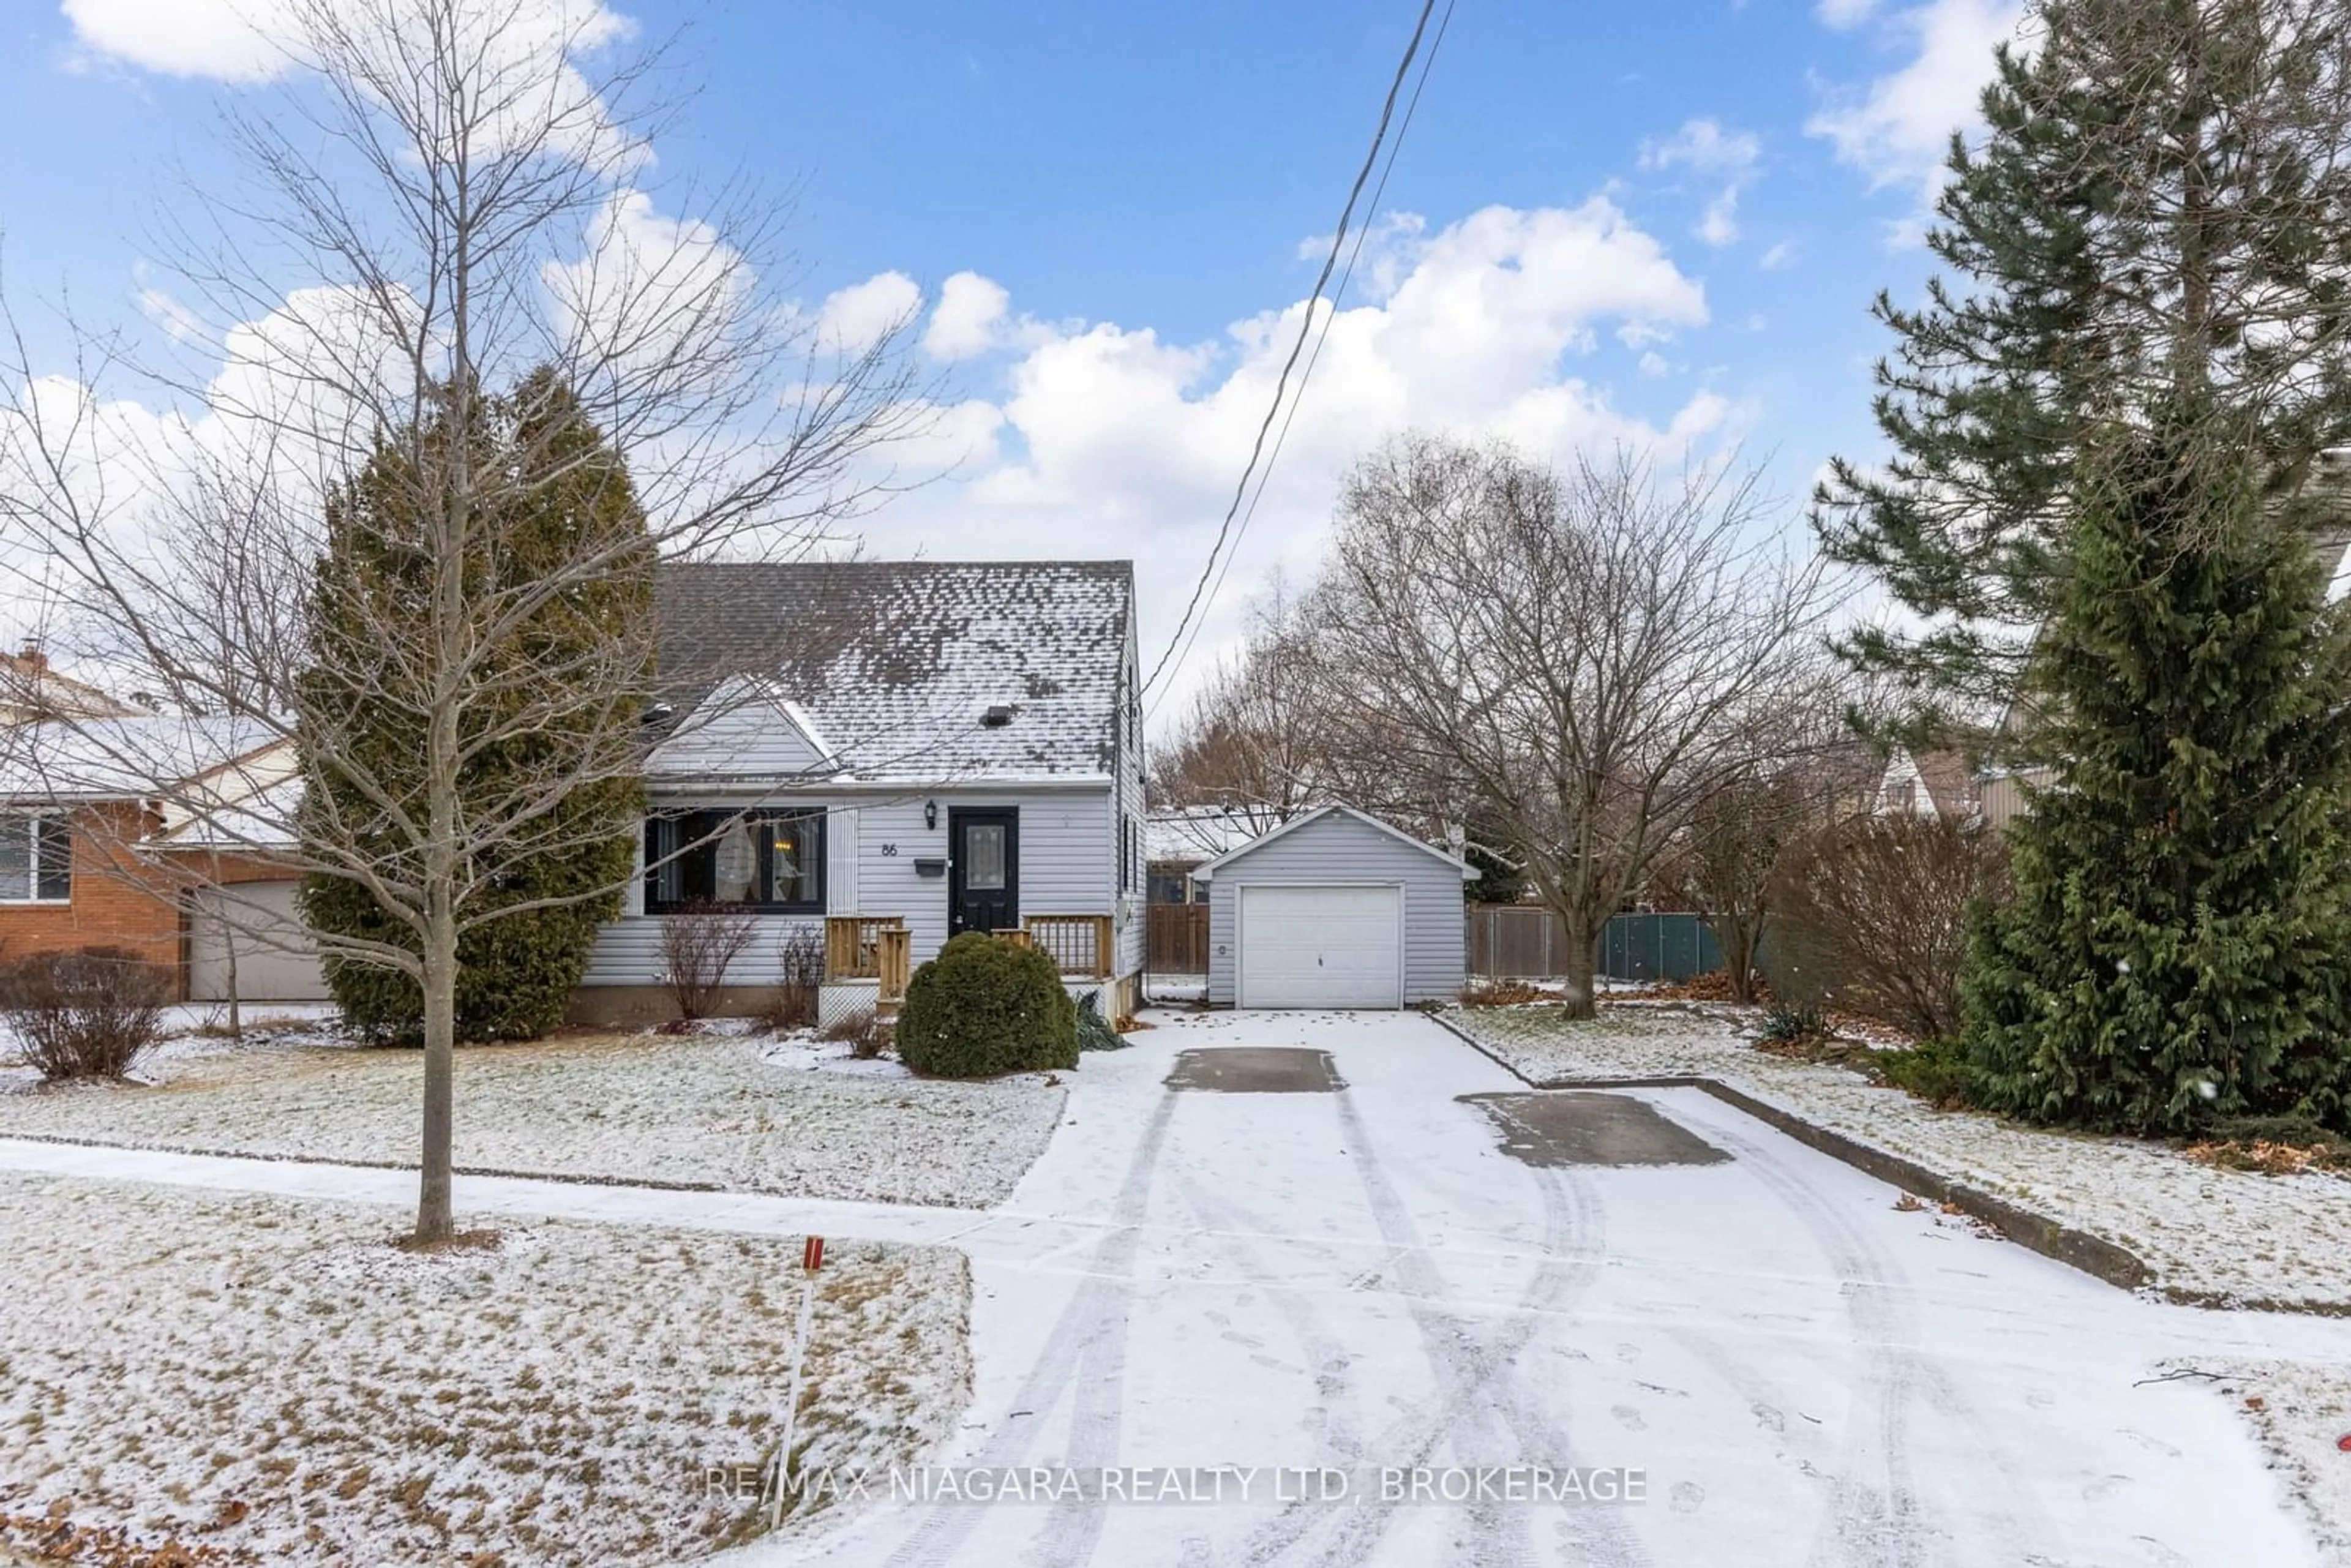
1113, 441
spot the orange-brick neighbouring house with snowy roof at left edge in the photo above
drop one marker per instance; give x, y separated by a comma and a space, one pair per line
91, 857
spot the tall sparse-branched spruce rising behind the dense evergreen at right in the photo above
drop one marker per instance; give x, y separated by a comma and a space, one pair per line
2159, 215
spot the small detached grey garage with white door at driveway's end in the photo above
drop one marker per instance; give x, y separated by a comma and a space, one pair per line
1334, 909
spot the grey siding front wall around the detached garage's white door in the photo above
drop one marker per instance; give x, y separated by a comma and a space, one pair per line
1339, 850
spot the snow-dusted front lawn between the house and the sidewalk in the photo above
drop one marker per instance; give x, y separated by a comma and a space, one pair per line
796, 1118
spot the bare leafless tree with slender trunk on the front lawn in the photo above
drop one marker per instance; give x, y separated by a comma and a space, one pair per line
457, 194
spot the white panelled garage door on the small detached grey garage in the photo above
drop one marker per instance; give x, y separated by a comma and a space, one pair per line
1327, 946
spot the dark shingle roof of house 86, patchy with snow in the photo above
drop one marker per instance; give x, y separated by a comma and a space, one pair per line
899, 662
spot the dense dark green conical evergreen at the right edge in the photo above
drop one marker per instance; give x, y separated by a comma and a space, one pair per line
2181, 937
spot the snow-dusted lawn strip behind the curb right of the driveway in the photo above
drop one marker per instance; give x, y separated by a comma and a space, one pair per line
2206, 1233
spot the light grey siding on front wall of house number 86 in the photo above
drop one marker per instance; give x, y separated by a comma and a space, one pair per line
1069, 866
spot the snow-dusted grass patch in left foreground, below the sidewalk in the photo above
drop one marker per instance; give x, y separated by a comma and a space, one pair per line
274, 1383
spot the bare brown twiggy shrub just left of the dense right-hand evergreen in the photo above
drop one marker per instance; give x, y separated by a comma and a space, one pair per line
1873, 918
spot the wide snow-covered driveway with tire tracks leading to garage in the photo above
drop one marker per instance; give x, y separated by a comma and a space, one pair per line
1365, 1282
